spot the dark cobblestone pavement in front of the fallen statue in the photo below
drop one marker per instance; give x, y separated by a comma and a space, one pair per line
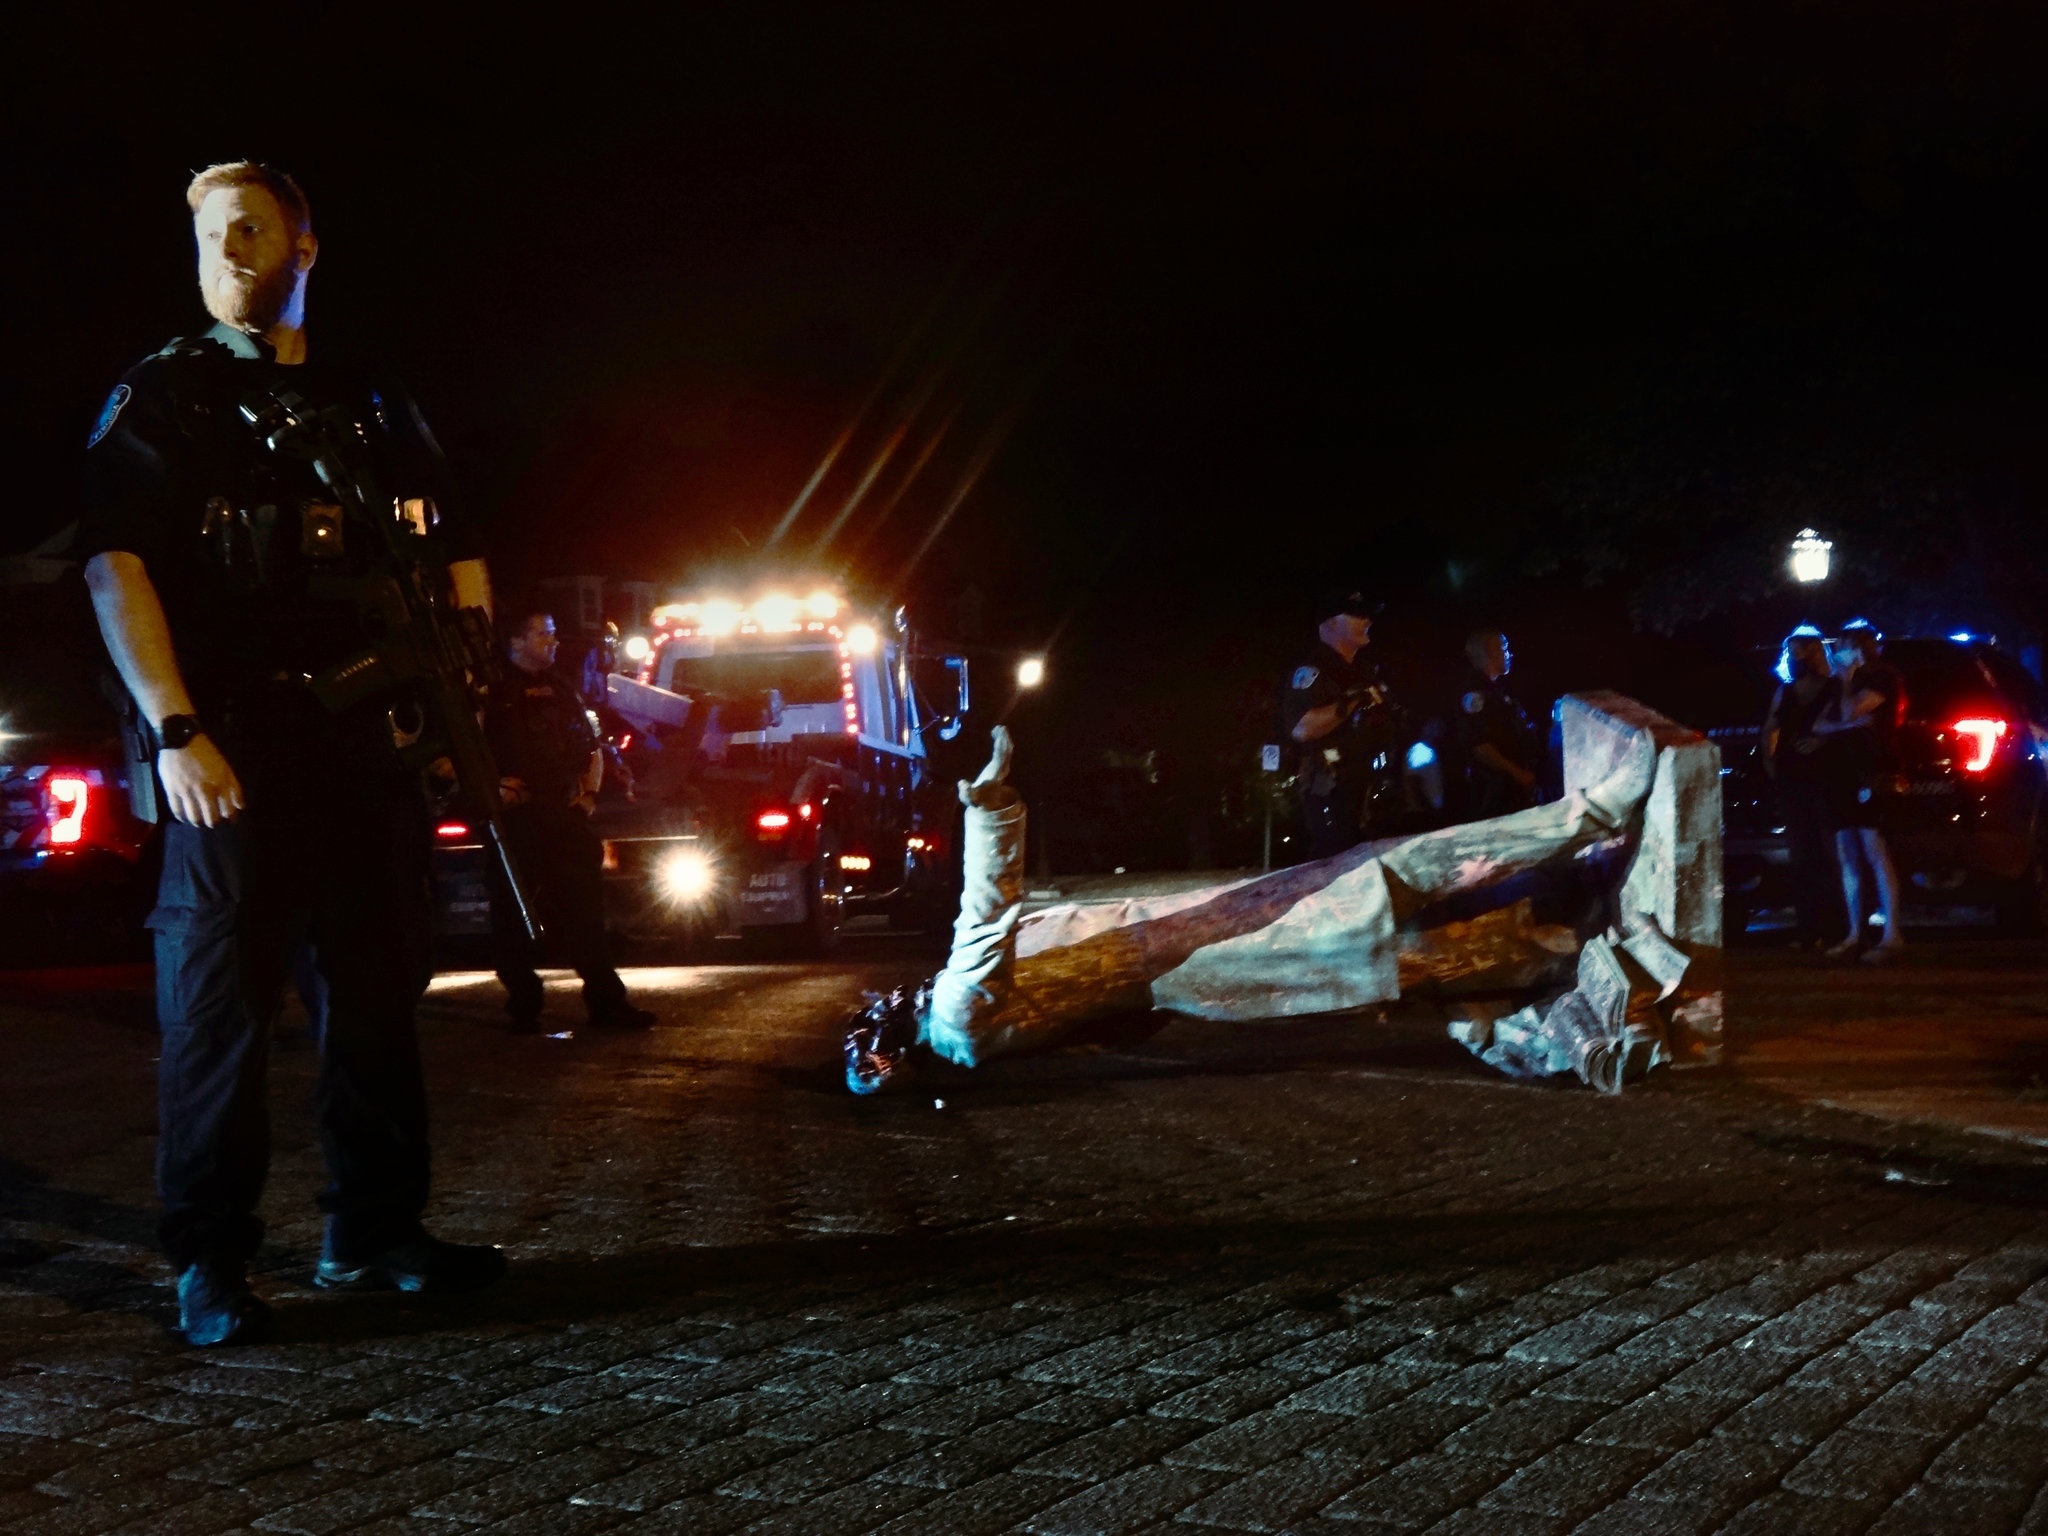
1310, 1279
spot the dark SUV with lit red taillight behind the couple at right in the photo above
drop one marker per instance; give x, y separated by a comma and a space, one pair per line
1965, 816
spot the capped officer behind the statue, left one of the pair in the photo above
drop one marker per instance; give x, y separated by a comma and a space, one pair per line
1334, 706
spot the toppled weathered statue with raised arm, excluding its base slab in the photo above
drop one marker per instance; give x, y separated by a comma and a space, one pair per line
1519, 904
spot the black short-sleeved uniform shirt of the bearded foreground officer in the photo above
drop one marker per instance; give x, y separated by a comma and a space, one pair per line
181, 480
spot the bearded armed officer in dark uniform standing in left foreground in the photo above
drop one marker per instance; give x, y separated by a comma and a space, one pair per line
224, 581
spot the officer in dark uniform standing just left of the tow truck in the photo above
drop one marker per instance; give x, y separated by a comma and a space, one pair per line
548, 751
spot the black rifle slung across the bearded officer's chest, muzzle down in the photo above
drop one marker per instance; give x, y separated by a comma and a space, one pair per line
427, 654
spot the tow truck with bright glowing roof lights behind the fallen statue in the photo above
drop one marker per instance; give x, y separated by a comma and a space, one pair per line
781, 759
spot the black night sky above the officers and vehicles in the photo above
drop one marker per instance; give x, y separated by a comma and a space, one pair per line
1564, 321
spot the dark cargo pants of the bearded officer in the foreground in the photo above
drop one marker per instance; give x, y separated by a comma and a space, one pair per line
339, 865
